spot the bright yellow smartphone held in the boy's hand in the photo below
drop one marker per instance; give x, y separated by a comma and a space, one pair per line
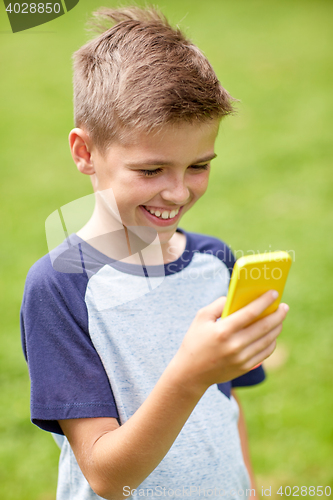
252, 276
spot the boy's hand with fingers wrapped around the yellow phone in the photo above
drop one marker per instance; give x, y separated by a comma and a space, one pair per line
218, 351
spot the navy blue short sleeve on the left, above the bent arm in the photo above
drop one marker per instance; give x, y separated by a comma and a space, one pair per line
67, 377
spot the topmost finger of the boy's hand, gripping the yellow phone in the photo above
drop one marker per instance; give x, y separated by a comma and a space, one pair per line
248, 314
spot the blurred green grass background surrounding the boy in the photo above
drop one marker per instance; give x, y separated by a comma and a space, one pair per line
271, 189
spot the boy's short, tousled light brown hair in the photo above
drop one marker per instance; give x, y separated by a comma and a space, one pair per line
141, 74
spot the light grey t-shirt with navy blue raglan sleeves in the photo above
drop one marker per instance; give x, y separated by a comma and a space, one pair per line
97, 335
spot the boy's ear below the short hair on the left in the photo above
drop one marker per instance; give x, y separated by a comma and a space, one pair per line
80, 146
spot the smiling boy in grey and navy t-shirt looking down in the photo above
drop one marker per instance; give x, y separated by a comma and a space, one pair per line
127, 357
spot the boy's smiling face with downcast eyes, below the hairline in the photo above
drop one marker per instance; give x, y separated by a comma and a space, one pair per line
157, 177
